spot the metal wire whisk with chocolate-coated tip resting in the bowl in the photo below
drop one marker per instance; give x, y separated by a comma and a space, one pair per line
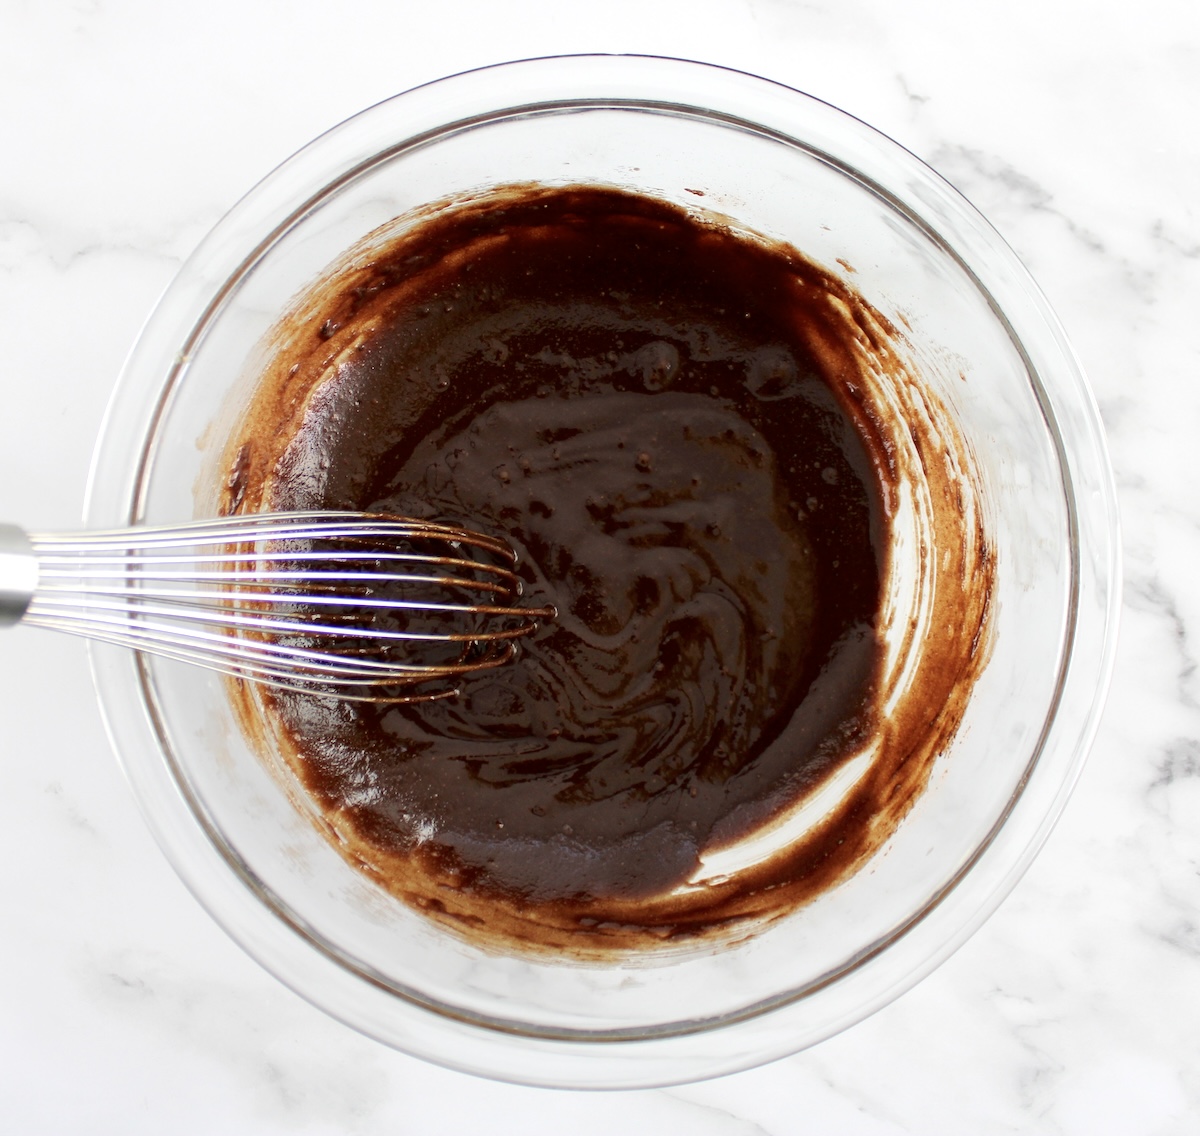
351, 605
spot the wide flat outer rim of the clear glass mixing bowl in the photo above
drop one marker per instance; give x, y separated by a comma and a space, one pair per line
158, 365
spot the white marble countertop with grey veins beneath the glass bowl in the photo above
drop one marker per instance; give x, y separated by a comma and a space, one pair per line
129, 128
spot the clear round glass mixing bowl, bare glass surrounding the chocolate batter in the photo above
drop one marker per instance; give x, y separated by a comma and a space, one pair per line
790, 167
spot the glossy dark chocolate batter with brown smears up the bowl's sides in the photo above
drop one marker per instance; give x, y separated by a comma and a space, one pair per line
706, 450
